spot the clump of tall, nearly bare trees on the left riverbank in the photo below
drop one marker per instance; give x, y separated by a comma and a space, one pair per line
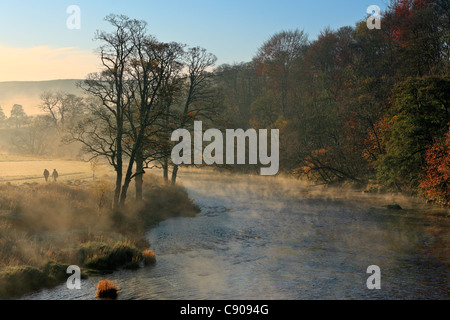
131, 100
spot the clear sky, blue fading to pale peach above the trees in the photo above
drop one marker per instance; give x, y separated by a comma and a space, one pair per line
36, 44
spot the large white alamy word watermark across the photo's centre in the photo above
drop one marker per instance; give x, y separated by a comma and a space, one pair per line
213, 152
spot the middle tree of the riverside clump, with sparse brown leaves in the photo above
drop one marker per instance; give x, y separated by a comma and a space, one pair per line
154, 71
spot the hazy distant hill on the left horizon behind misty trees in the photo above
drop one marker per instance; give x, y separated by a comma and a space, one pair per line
27, 93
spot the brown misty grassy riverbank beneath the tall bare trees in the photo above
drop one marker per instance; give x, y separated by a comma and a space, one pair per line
45, 227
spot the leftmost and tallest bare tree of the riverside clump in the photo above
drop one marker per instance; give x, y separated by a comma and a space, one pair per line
111, 88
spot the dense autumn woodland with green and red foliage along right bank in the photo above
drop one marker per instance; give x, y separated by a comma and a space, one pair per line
360, 105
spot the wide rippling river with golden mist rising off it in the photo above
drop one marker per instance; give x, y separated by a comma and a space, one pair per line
272, 238
